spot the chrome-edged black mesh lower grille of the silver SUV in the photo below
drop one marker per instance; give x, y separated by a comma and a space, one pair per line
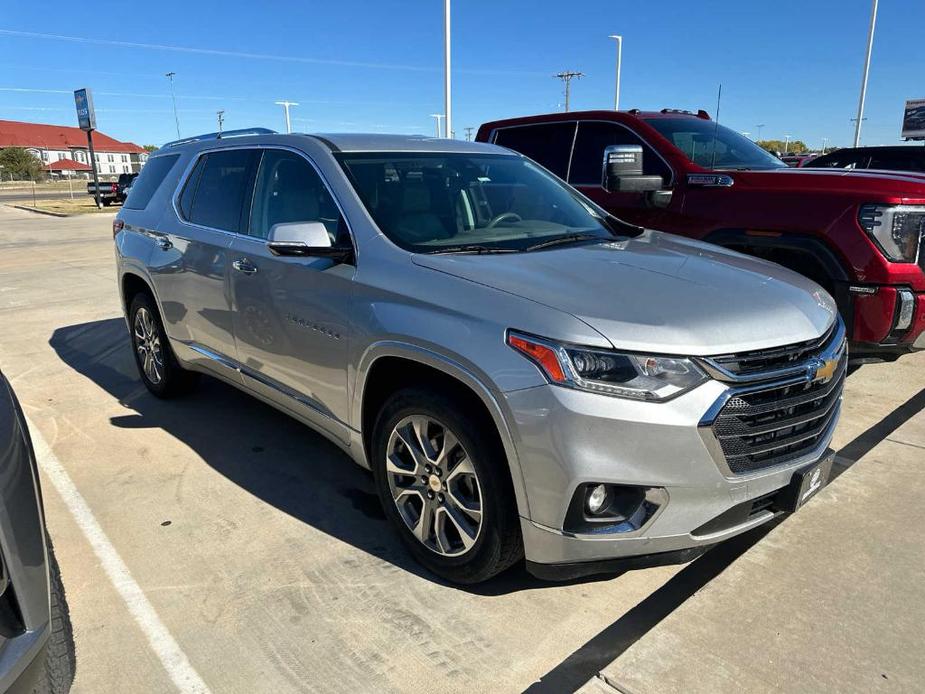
771, 426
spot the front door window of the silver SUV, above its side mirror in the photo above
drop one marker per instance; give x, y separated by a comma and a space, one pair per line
288, 189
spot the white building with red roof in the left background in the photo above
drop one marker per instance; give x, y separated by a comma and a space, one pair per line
54, 143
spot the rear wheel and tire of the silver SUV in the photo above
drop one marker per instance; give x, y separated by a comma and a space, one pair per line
162, 375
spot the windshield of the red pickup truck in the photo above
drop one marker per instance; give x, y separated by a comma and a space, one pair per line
695, 137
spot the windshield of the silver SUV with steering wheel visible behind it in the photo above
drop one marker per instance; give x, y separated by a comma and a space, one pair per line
433, 203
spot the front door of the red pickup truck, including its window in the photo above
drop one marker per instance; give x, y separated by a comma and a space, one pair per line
586, 174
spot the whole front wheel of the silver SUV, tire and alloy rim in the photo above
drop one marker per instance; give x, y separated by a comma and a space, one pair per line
475, 498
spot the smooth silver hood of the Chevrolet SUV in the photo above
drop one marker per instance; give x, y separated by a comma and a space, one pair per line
658, 293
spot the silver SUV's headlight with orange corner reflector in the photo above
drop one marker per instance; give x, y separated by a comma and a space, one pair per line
624, 375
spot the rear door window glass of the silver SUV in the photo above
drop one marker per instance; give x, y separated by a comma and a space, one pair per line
216, 193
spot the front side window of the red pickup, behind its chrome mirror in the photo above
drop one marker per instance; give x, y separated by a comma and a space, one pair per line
588, 159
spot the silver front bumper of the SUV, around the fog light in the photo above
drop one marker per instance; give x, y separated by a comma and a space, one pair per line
567, 438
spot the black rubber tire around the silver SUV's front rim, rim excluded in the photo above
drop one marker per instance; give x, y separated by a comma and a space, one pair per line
486, 557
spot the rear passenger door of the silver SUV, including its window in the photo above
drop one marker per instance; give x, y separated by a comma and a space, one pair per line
189, 264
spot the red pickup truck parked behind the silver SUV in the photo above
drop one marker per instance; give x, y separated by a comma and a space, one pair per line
856, 233
